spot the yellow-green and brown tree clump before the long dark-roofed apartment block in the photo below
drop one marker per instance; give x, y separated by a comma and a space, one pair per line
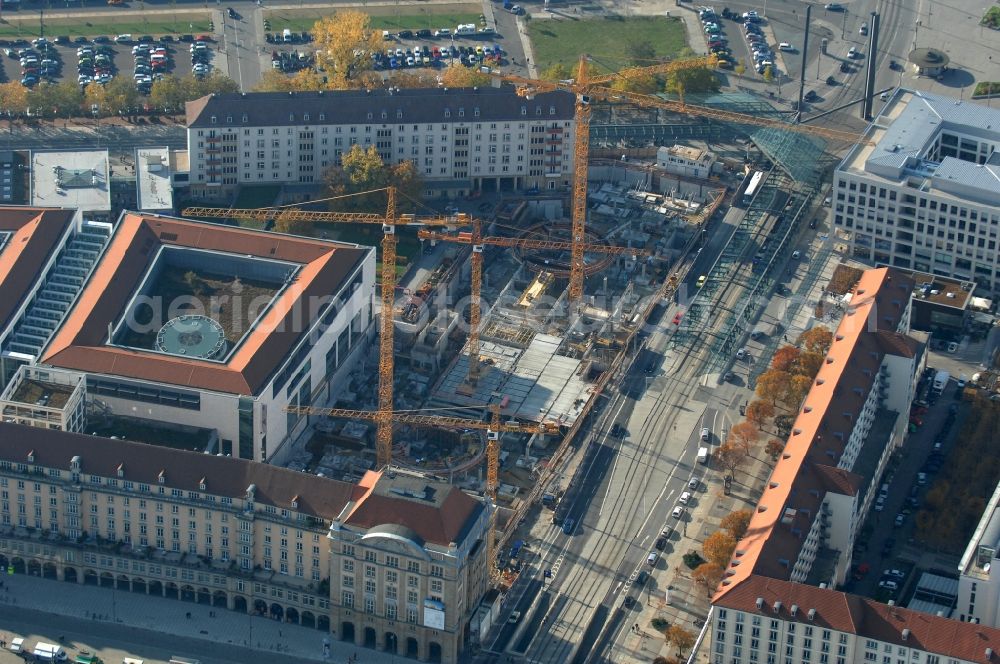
362, 170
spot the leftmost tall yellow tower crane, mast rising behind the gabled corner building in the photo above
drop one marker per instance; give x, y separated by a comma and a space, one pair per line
389, 221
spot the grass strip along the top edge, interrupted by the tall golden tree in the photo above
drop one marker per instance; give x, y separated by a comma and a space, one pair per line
430, 17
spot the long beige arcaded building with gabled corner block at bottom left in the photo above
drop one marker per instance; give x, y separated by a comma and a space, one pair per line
249, 537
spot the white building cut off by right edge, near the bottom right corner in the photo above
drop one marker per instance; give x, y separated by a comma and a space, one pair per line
979, 571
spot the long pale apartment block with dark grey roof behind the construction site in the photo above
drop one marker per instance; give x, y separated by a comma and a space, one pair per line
460, 140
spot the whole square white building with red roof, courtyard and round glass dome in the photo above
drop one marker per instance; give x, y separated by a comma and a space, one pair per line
288, 316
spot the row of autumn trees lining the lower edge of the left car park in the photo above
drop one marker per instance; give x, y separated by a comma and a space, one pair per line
119, 97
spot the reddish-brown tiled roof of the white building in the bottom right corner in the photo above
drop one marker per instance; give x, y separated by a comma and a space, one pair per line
864, 617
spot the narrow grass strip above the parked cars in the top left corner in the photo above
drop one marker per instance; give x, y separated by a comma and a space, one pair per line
25, 25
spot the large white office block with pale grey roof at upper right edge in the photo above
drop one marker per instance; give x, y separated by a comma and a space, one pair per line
923, 190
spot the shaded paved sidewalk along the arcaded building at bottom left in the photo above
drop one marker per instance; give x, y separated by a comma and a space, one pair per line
169, 616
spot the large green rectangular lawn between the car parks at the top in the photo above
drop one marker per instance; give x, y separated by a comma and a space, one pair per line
606, 39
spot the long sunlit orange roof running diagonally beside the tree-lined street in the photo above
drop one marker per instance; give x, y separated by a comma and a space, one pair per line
807, 467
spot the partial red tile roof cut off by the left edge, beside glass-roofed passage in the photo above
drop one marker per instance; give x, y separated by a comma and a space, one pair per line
36, 233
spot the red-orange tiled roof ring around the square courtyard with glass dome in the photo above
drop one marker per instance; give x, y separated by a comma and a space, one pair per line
79, 344
